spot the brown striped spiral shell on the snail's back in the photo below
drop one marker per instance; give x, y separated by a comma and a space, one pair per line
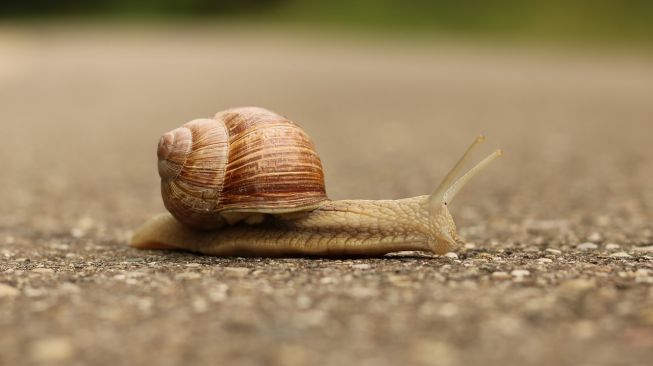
244, 161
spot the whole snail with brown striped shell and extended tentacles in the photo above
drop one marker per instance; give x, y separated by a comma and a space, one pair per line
249, 182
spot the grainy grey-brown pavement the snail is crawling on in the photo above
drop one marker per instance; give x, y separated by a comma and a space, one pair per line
558, 265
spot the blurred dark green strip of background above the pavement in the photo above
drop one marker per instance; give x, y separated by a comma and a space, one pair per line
602, 21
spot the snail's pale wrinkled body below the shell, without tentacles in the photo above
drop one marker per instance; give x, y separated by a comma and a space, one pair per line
336, 228
